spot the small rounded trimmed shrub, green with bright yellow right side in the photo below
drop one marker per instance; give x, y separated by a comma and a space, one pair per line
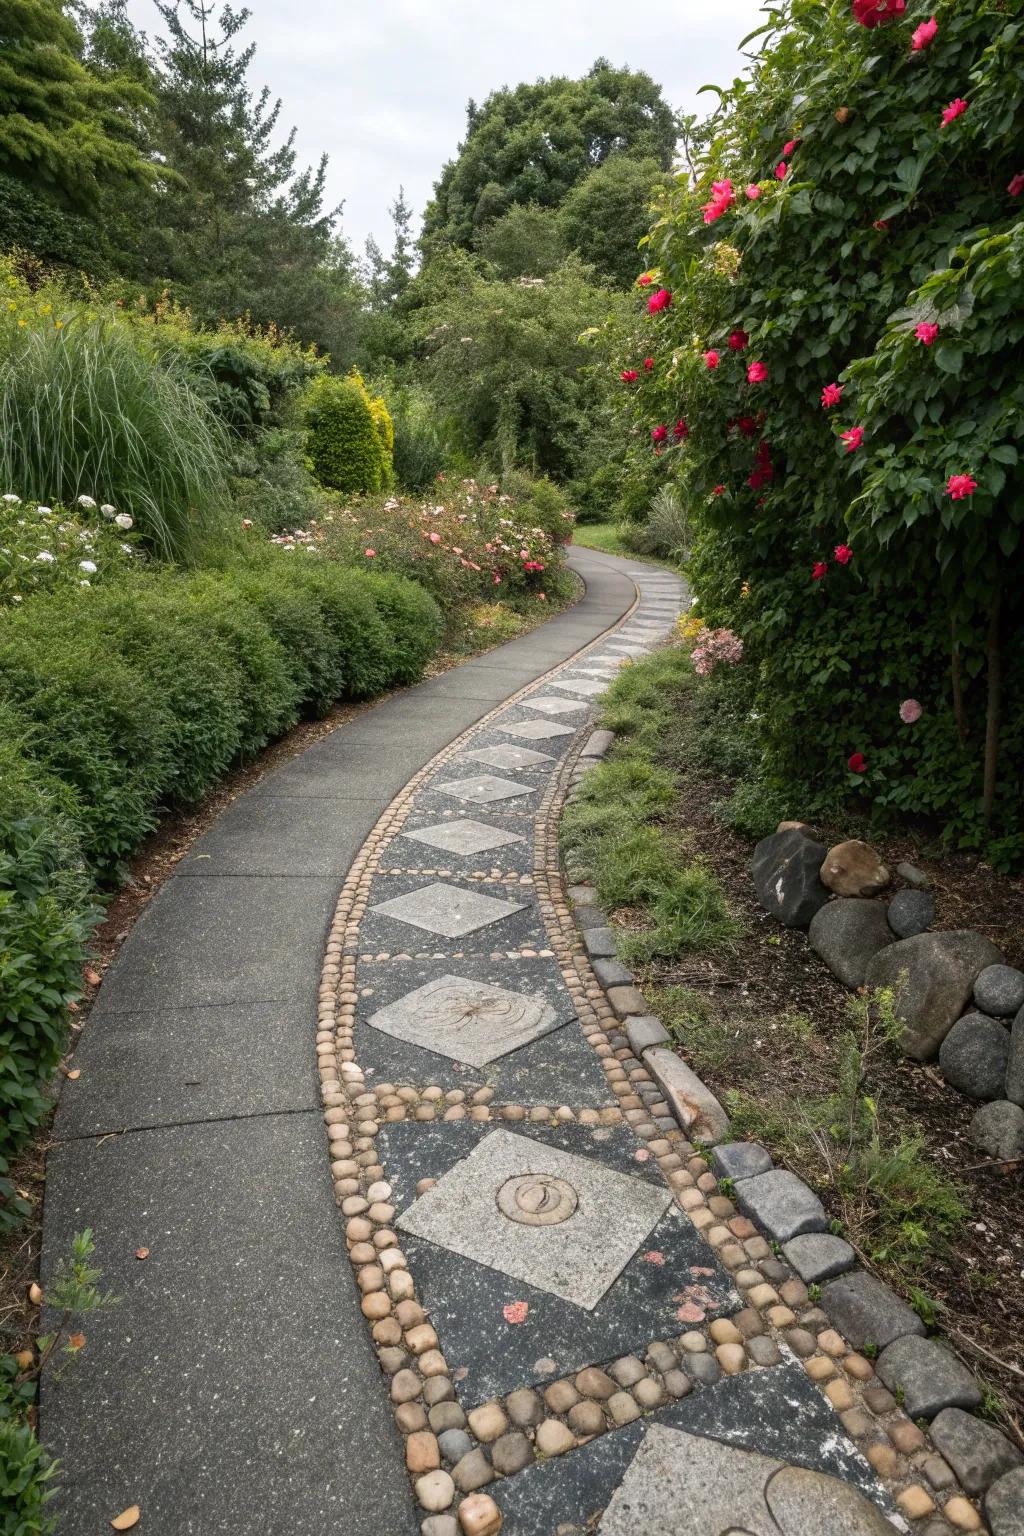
348, 435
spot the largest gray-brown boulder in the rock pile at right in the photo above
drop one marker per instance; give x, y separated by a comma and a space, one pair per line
933, 978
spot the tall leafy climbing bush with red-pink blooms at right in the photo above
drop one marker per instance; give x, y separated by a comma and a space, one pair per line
827, 366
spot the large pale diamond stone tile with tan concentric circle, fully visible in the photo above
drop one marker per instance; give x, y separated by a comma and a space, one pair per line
580, 1256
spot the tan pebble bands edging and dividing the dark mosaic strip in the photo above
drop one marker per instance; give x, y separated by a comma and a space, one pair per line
779, 1320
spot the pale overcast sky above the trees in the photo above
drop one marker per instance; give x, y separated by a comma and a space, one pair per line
383, 88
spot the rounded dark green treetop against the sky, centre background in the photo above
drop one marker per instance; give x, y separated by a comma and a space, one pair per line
537, 142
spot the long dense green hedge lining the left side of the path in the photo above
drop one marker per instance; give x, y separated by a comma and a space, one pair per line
130, 700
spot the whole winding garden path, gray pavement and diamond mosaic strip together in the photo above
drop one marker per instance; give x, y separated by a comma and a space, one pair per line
520, 1259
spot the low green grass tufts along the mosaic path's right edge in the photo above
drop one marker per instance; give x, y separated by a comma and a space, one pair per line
616, 826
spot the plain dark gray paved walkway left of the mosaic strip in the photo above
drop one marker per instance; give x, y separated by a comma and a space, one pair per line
219, 1391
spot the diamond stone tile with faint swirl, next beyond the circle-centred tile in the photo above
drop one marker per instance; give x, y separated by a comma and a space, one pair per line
466, 1021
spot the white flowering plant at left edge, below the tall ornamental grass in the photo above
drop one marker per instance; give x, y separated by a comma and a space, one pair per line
44, 548
